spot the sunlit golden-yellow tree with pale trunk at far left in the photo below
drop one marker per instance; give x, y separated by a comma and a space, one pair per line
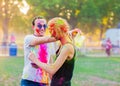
11, 14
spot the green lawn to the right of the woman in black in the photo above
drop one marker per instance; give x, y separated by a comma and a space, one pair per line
100, 71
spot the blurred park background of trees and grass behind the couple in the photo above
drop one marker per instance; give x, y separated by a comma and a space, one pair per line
93, 17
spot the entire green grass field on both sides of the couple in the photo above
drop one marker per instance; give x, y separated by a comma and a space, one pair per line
89, 71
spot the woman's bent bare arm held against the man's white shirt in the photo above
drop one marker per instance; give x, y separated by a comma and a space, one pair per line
52, 68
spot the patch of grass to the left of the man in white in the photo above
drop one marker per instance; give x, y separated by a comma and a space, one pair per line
10, 71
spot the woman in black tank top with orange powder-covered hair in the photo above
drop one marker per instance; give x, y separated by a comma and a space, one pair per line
62, 69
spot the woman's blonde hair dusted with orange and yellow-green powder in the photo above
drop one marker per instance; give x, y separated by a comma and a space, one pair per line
59, 25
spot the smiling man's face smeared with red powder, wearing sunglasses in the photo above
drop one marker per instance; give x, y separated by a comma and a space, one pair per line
40, 26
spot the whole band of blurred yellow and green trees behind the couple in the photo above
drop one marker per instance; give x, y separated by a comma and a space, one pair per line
91, 16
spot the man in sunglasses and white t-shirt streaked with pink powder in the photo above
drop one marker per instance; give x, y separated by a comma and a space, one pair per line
37, 43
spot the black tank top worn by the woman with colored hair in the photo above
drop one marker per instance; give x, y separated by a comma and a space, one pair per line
63, 76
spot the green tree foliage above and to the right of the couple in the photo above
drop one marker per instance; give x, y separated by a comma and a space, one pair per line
87, 14
